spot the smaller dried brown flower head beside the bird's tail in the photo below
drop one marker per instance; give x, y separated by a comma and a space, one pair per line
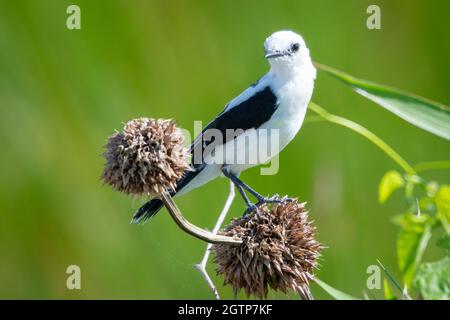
146, 158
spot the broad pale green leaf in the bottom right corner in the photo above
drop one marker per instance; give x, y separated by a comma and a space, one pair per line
433, 280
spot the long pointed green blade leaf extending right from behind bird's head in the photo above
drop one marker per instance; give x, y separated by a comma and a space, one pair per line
423, 113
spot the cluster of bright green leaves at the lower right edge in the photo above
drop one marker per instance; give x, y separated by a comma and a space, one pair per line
427, 213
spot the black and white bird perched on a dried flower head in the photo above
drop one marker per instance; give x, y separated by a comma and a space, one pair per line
277, 101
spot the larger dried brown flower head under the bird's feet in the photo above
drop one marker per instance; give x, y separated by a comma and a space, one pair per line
279, 250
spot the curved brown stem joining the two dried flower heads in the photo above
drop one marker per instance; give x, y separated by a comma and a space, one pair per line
191, 229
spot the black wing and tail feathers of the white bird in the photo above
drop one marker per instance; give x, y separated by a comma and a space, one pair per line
251, 113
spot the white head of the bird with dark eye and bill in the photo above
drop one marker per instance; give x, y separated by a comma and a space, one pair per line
287, 53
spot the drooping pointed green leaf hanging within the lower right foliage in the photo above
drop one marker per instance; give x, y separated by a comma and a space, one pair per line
411, 244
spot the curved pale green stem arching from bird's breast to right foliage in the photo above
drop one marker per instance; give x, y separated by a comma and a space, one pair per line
365, 133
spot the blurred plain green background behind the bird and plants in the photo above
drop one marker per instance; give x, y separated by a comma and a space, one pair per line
62, 92
